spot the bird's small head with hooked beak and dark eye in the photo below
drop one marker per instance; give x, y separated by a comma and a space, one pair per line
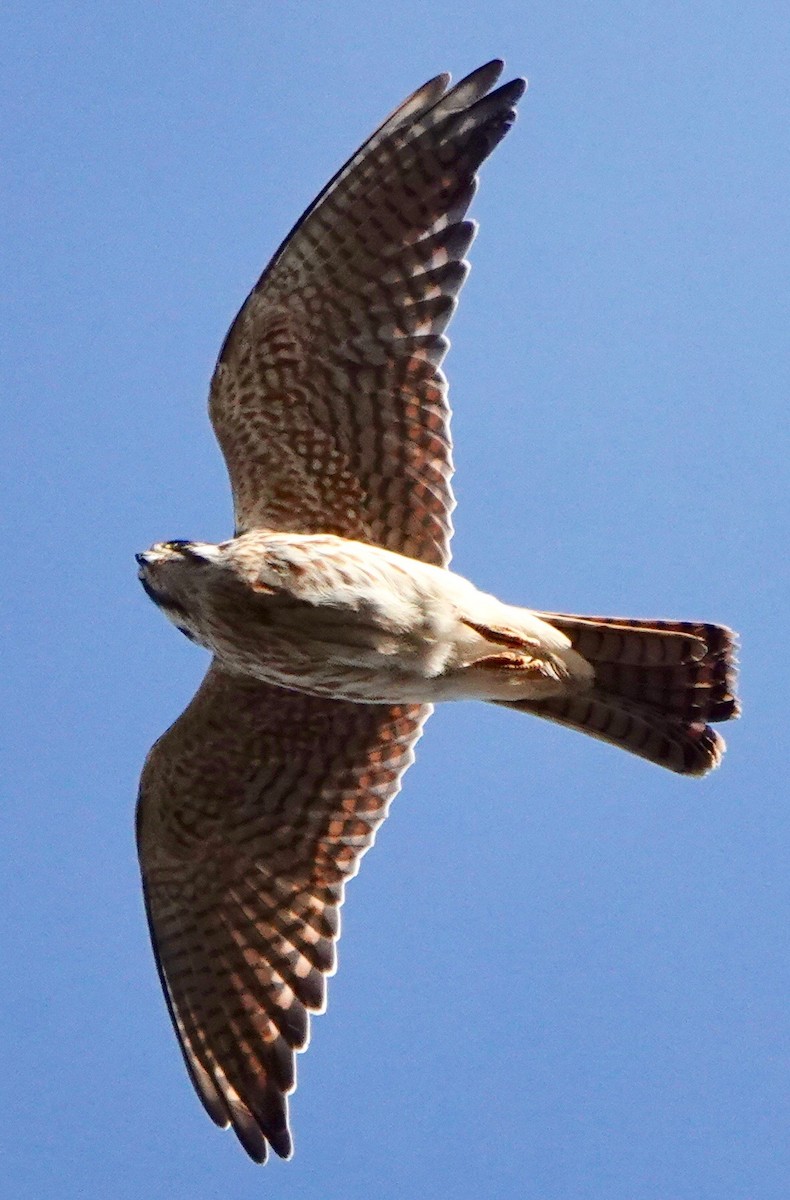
175, 575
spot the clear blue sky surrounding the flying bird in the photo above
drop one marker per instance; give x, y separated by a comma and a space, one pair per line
565, 974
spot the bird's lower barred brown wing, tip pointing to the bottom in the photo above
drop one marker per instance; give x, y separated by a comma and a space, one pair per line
255, 809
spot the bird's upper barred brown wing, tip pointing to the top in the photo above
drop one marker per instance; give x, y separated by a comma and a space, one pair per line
328, 399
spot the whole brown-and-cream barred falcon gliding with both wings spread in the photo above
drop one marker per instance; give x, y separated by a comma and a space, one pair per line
334, 621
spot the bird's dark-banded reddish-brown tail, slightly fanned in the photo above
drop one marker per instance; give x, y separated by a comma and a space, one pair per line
659, 685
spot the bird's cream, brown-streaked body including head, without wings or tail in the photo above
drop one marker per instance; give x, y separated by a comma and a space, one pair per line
334, 617
